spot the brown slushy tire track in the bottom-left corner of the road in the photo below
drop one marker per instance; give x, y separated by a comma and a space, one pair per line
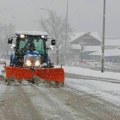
16, 105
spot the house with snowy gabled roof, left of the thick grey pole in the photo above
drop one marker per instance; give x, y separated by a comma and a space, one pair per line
82, 44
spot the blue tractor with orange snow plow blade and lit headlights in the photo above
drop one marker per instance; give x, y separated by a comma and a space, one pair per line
30, 60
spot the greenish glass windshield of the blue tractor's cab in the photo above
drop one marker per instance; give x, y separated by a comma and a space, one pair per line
32, 43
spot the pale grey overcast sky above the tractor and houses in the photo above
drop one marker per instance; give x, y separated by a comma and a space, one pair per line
84, 15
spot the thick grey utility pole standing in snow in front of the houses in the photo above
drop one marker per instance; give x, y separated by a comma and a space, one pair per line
103, 36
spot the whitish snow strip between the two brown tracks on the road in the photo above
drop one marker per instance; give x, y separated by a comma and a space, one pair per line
54, 108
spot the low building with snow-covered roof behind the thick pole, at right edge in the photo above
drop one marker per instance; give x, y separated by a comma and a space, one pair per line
112, 51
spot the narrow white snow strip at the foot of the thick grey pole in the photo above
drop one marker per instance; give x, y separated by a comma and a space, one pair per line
88, 72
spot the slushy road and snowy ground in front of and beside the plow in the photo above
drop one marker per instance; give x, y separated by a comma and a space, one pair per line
87, 95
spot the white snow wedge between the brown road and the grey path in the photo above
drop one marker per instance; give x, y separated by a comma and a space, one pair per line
107, 91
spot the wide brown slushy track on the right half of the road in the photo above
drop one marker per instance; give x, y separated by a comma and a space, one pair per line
90, 108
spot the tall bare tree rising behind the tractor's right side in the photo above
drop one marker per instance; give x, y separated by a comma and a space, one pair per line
55, 26
